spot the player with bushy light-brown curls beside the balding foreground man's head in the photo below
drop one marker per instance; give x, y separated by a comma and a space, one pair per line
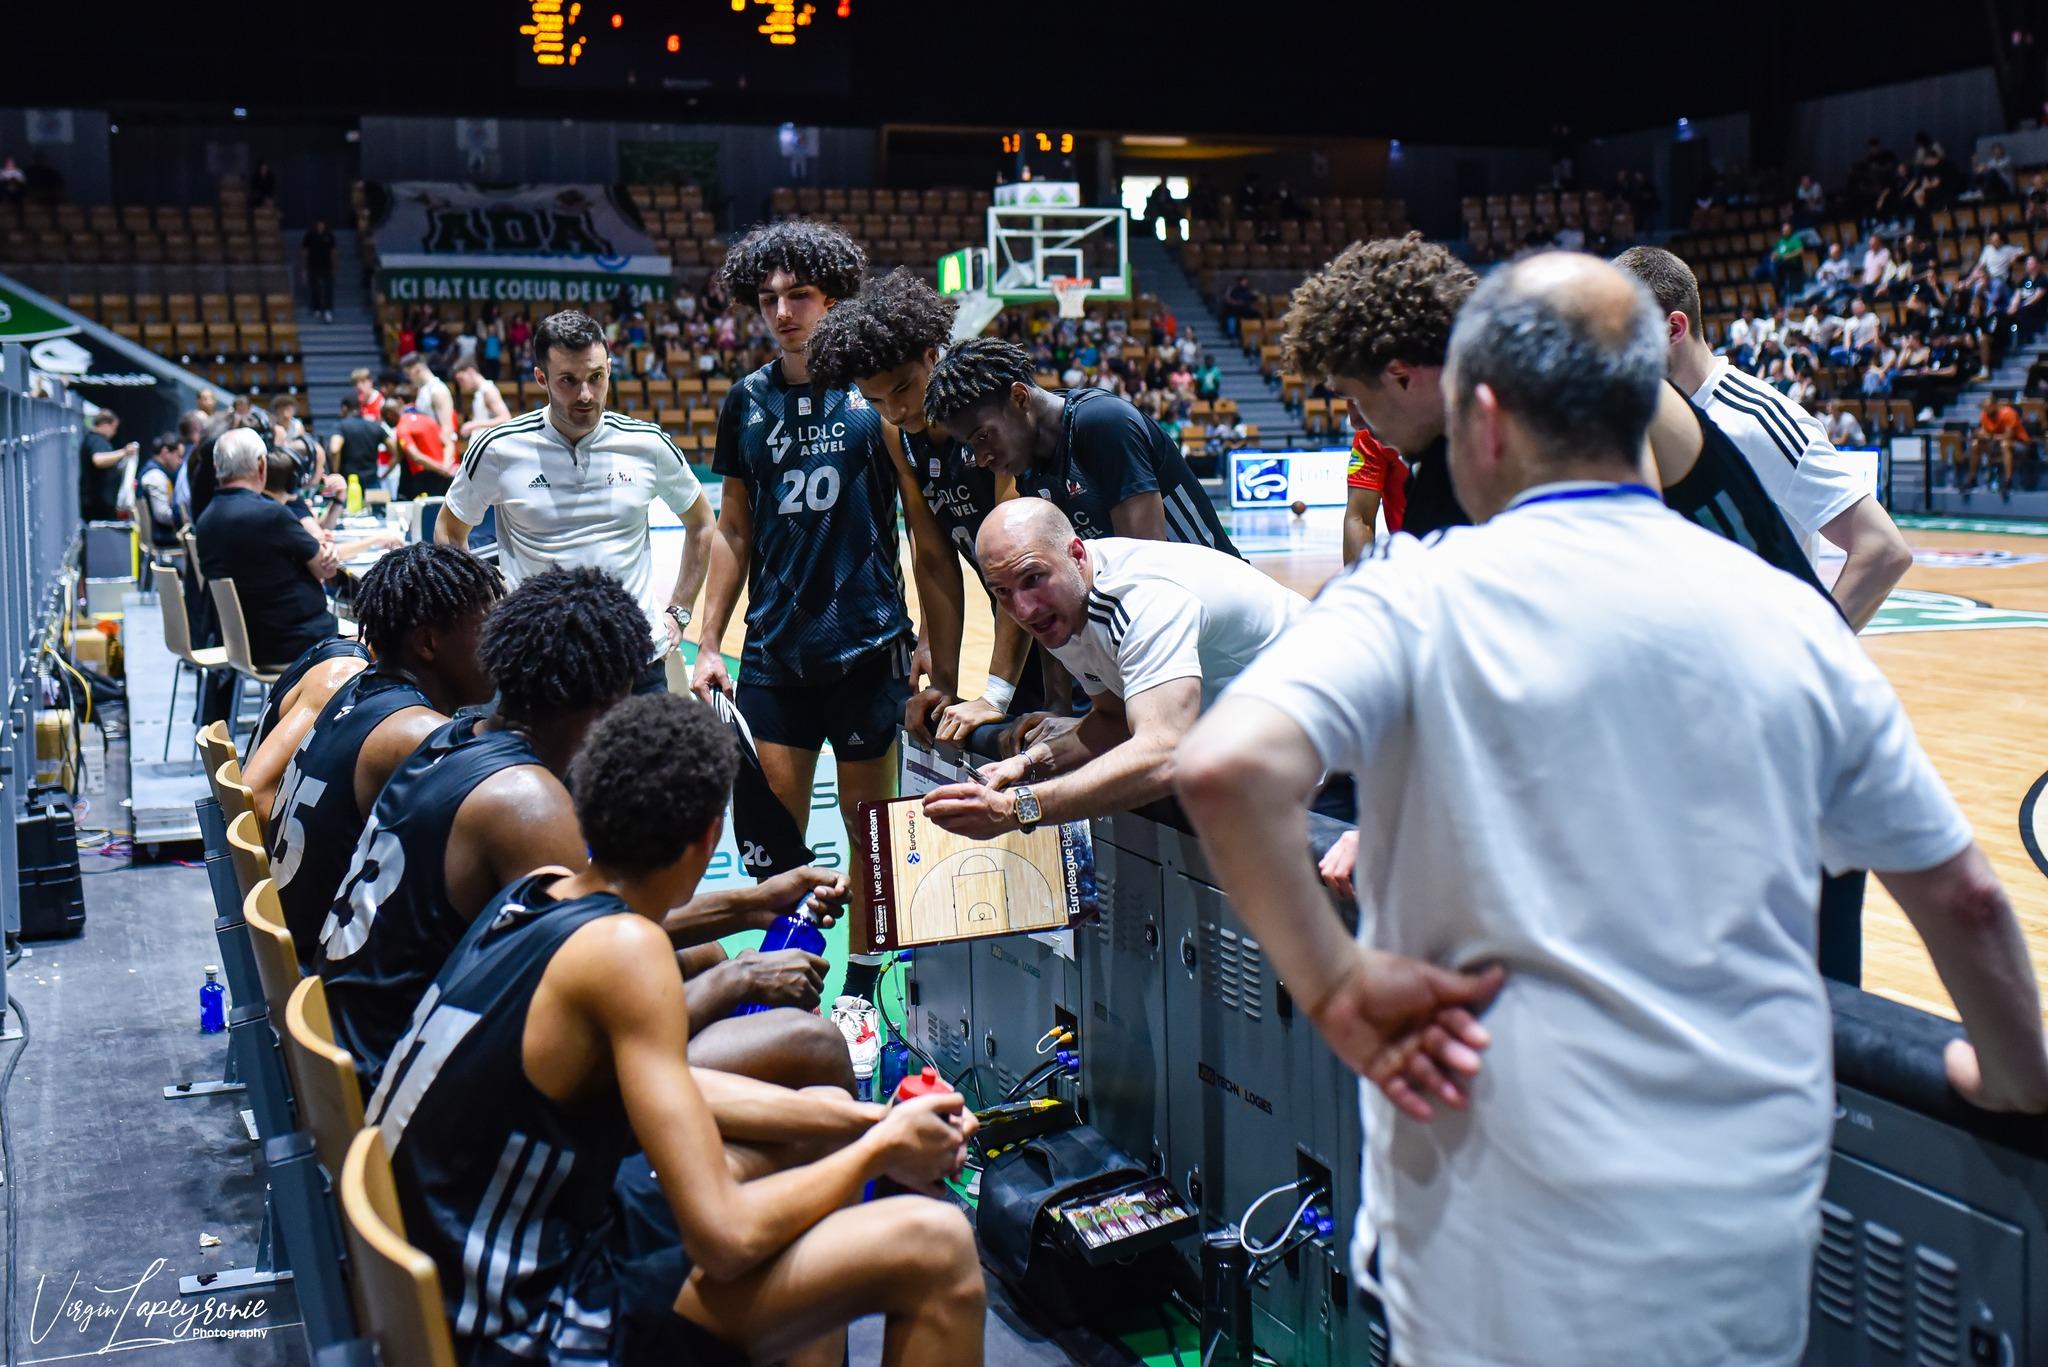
1375, 327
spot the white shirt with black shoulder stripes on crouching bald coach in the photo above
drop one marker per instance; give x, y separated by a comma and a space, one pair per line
1168, 610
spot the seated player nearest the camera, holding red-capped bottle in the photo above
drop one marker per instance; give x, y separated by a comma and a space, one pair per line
552, 1046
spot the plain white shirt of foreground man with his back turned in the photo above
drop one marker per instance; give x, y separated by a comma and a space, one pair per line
1611, 751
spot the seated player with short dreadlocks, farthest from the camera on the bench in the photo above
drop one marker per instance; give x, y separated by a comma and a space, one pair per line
421, 612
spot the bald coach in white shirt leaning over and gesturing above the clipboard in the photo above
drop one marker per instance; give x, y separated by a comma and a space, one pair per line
1152, 630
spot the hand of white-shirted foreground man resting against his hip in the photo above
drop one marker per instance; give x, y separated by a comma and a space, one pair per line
1408, 1028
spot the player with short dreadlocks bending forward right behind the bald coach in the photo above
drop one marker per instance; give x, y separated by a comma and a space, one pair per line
1091, 452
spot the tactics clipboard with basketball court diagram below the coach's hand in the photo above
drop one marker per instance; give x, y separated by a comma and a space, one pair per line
929, 886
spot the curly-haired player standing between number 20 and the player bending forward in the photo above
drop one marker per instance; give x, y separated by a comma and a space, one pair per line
886, 345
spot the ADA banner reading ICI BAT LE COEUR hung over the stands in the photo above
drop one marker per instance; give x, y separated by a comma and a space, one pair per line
439, 241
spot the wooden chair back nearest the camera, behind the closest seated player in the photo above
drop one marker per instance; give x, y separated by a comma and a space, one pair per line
398, 1288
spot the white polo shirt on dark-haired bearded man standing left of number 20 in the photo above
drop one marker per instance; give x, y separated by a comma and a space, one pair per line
577, 505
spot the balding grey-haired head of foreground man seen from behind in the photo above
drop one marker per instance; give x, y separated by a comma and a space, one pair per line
1553, 374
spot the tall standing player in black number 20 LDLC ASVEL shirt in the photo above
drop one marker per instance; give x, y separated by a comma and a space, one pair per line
810, 526
